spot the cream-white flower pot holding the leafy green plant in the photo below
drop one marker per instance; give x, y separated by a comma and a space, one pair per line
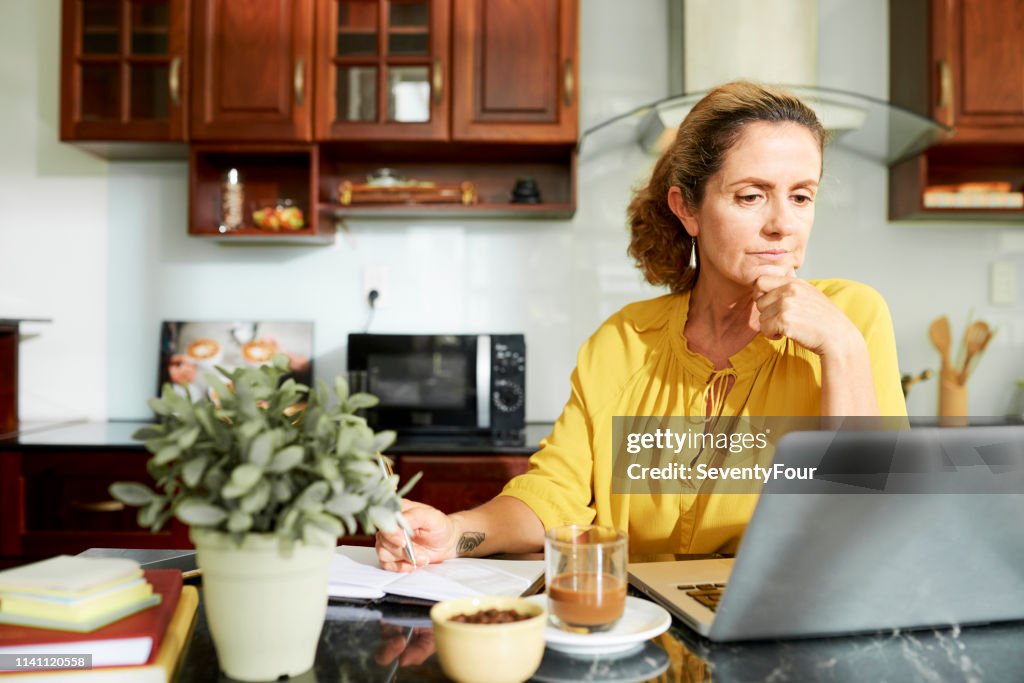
266, 611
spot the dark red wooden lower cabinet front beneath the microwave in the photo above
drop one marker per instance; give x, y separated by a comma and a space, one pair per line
452, 484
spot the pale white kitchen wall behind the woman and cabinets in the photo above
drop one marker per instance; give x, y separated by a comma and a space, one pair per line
105, 250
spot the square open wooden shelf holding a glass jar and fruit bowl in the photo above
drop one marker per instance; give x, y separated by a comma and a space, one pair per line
269, 174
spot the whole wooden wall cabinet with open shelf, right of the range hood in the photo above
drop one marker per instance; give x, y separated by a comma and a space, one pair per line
962, 63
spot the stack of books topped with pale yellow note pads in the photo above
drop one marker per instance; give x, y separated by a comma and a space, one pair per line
138, 634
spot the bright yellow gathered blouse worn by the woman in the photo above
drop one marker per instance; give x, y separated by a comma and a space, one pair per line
638, 364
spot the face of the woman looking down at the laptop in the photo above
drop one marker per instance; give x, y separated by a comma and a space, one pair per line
758, 209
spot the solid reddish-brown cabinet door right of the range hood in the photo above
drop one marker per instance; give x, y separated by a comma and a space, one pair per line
978, 51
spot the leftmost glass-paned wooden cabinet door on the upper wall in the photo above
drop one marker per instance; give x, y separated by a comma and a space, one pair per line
124, 70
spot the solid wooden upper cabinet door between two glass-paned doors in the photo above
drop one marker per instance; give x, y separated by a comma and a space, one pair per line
253, 66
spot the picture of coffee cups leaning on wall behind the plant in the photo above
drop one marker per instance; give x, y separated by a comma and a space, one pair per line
190, 350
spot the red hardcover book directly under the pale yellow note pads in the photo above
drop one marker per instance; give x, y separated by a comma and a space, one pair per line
134, 641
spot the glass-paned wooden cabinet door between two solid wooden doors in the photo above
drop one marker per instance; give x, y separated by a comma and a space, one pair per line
382, 70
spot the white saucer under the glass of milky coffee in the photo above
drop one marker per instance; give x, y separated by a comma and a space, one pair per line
642, 622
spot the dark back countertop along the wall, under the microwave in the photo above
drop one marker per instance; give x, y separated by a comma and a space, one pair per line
116, 435
